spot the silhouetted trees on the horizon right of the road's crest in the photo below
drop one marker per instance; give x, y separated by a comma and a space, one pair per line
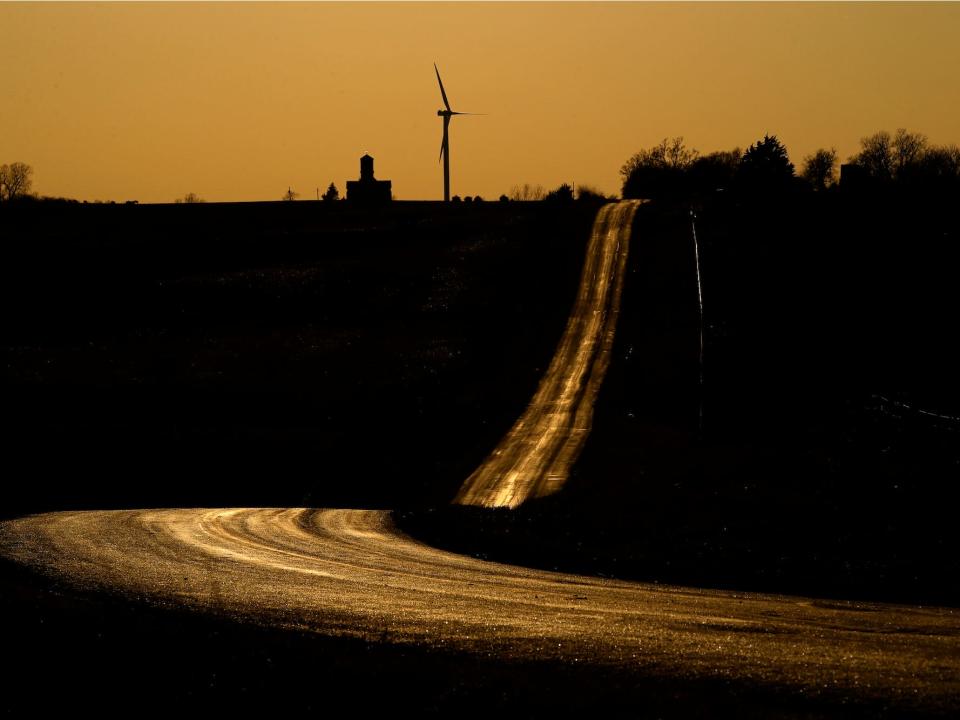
899, 160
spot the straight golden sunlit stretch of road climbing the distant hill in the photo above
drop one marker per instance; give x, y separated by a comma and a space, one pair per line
534, 458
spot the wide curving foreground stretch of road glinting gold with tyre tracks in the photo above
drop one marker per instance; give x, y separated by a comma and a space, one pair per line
351, 572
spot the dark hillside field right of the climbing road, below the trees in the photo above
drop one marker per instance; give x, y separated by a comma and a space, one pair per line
828, 460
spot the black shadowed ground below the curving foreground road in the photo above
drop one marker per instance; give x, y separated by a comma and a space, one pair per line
70, 653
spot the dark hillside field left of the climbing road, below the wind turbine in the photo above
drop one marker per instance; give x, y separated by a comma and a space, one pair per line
273, 354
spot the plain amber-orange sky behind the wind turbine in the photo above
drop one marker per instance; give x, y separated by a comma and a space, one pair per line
239, 101
